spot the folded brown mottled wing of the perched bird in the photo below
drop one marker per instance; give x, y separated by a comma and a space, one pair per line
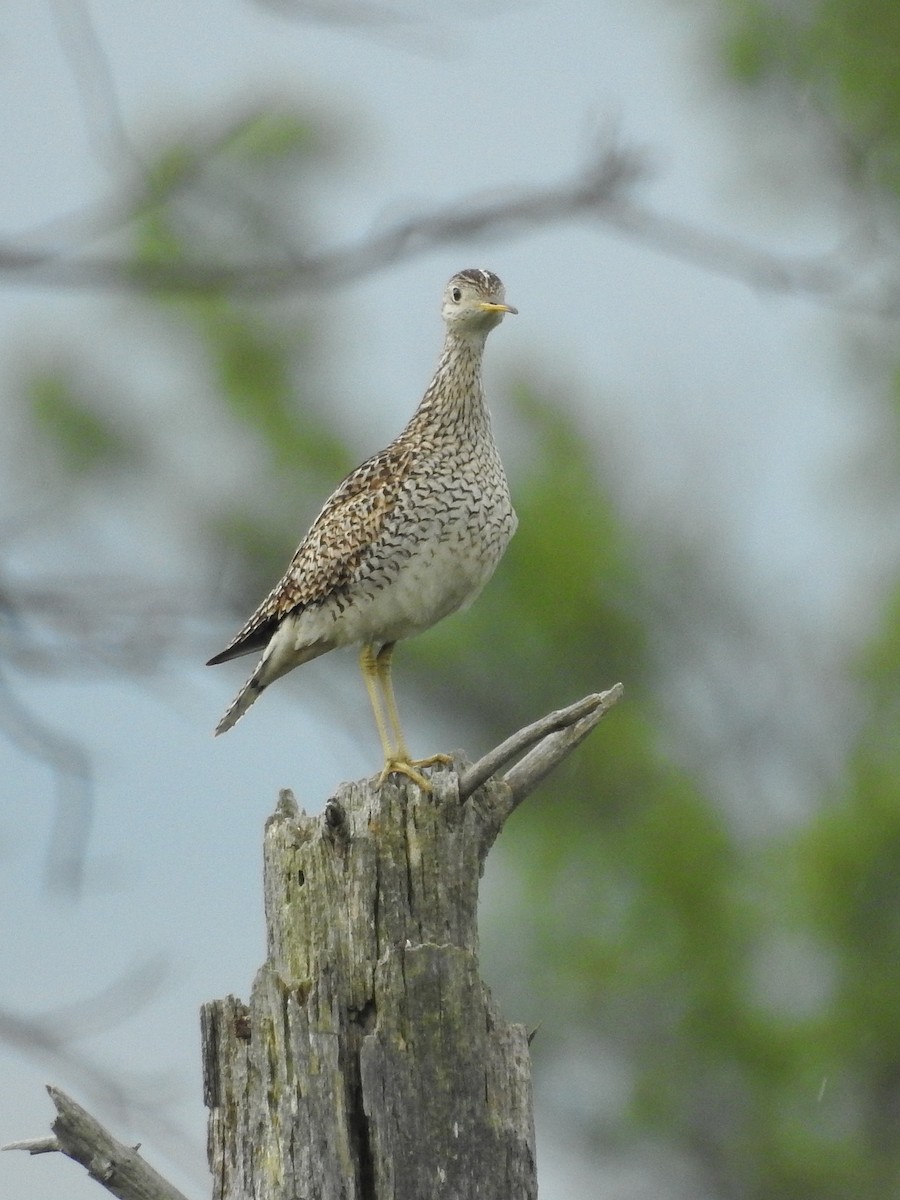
328, 560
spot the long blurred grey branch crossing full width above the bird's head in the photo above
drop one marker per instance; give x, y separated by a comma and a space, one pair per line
854, 275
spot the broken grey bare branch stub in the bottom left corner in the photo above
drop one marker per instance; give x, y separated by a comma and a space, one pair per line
119, 1168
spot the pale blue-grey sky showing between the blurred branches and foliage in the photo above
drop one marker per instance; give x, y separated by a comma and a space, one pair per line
694, 380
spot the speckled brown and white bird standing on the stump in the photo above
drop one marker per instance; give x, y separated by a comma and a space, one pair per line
410, 537
